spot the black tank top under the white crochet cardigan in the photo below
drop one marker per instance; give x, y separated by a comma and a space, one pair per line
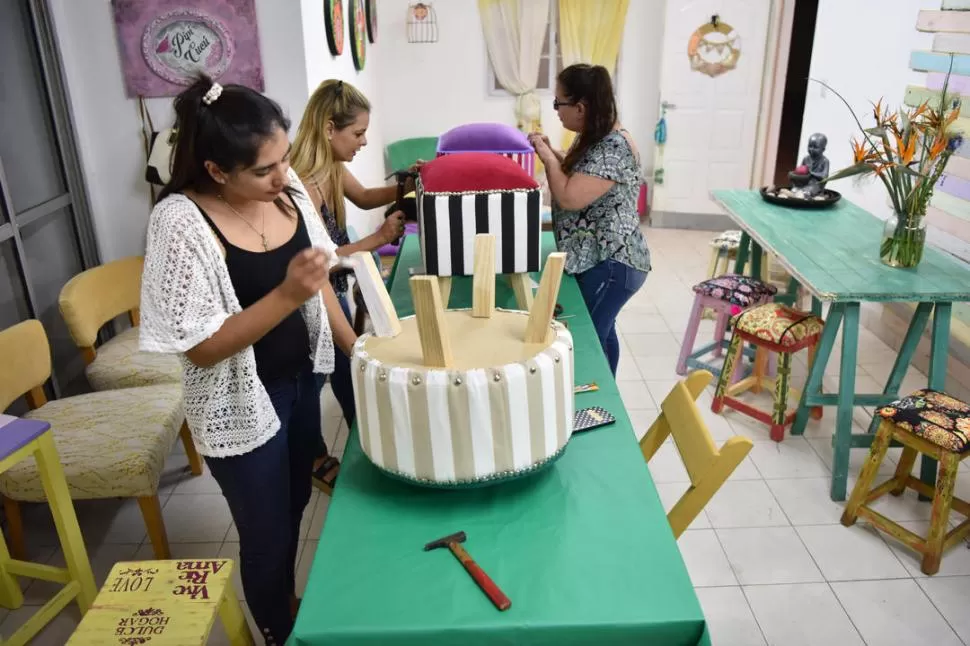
285, 350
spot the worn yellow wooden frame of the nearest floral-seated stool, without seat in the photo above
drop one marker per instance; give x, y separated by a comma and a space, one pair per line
938, 539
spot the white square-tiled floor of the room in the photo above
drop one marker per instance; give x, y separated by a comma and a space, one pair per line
768, 557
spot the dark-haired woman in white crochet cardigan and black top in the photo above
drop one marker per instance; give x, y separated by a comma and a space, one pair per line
236, 282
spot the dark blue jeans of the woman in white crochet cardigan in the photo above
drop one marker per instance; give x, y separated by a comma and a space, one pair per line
267, 490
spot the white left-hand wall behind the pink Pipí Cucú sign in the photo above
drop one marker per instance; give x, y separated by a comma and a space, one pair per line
295, 59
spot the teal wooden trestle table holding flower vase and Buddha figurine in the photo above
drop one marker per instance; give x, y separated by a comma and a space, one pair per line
834, 254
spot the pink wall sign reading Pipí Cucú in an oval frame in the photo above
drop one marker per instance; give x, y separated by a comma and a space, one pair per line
165, 44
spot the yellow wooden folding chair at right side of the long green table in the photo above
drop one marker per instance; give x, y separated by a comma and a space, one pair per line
707, 466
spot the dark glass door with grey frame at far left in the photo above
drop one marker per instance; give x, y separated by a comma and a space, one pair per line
46, 236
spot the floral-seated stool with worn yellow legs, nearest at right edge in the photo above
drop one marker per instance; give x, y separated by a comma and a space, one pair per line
934, 424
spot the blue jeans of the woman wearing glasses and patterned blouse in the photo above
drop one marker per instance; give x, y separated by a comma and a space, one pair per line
606, 288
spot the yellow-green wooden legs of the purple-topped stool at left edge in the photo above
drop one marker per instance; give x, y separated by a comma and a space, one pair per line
77, 577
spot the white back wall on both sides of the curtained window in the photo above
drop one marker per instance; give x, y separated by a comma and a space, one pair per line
429, 88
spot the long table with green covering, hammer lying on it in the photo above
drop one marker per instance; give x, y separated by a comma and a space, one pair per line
583, 549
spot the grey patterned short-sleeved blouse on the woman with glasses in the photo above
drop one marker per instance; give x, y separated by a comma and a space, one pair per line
609, 227
